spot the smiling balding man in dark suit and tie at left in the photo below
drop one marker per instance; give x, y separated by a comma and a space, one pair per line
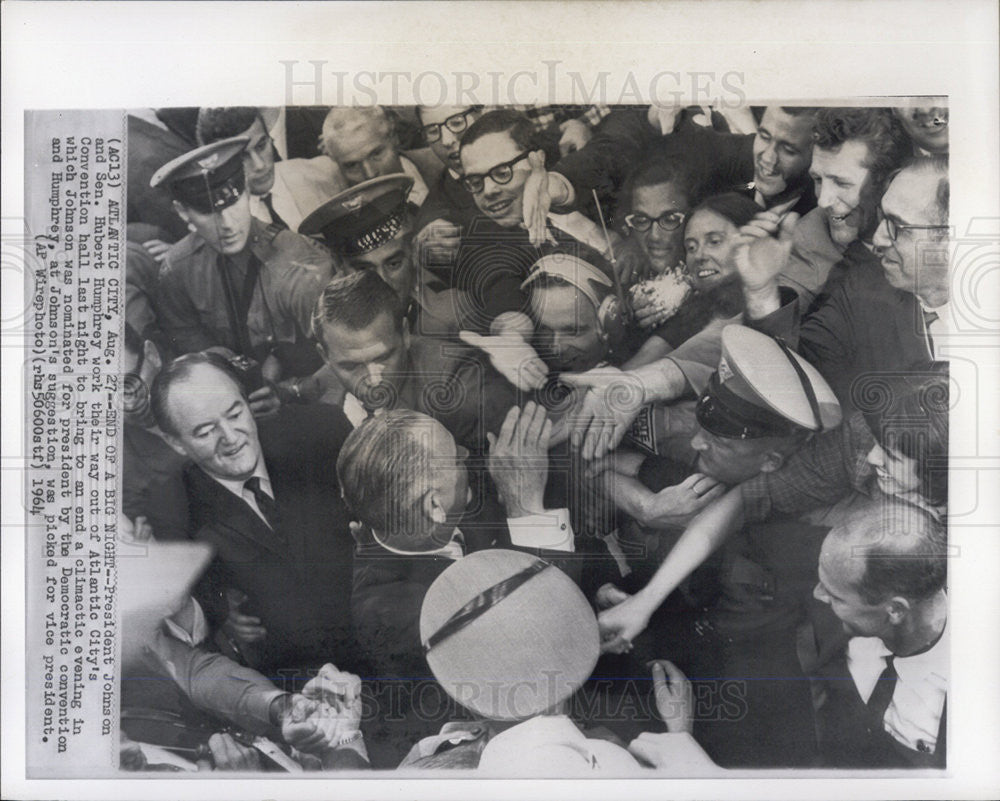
267, 501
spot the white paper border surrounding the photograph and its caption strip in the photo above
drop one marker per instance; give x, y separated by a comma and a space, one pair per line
94, 55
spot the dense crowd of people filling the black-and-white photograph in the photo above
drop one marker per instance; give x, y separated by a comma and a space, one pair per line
545, 440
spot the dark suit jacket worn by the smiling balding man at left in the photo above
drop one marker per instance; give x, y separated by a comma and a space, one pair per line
297, 576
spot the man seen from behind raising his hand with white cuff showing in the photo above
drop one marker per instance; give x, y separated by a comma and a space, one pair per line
405, 476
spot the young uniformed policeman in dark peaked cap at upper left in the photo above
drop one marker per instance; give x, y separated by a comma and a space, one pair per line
234, 283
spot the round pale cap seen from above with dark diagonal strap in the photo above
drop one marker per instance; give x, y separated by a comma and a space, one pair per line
507, 634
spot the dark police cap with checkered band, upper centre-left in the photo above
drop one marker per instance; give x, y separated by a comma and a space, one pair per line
362, 218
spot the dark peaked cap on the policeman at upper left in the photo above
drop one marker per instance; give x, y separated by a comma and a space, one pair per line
208, 178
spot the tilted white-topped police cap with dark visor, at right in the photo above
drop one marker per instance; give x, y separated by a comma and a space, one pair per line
764, 389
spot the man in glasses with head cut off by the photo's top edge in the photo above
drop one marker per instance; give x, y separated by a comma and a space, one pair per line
449, 205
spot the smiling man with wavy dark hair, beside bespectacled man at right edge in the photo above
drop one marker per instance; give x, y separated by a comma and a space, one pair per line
855, 152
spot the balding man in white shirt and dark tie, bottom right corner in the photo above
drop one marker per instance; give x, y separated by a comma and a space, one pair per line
884, 573
